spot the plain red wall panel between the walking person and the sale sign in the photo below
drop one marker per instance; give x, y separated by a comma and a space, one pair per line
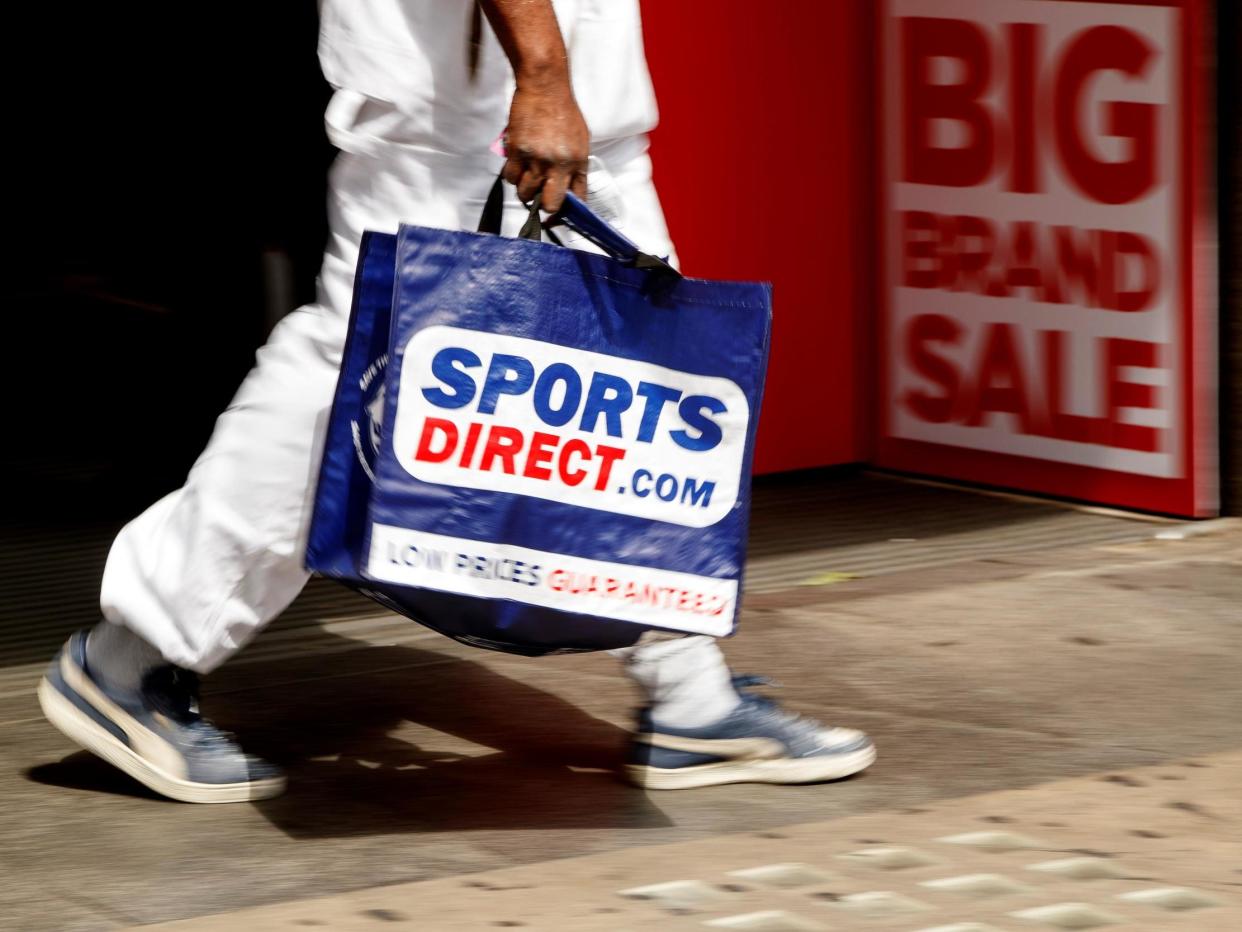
763, 162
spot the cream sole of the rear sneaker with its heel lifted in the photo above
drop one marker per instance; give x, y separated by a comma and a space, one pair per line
79, 729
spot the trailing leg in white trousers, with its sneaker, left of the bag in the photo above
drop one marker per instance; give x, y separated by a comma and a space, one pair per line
192, 580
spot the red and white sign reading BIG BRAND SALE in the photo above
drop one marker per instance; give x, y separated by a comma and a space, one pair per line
1049, 324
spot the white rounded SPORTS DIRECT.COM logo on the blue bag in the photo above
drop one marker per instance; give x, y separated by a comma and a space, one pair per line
510, 414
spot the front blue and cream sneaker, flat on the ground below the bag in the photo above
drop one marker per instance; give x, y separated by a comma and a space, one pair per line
758, 742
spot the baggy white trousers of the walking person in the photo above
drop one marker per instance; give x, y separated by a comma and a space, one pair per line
202, 571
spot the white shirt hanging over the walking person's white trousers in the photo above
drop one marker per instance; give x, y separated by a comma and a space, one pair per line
404, 66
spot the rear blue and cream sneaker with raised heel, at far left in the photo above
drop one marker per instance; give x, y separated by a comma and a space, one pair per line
156, 735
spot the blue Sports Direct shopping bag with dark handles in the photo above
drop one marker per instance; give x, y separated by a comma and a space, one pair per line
537, 449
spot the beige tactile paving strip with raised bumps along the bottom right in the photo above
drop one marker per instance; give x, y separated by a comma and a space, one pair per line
1156, 849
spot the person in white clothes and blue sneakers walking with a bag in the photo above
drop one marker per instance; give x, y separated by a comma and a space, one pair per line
422, 90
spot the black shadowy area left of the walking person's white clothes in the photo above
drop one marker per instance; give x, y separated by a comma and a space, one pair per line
168, 170
